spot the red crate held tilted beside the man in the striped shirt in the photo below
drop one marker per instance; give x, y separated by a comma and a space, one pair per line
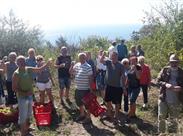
91, 103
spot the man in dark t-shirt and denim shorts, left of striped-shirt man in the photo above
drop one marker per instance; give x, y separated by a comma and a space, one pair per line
63, 64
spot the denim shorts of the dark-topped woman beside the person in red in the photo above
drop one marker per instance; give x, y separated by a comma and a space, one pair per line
133, 94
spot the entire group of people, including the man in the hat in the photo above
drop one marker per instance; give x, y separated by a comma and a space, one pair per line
118, 73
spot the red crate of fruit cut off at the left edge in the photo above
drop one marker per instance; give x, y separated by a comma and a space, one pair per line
8, 118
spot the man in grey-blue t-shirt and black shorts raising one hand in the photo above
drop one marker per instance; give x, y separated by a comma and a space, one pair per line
114, 73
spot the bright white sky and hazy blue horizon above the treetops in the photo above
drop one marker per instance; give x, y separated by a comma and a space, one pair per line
71, 18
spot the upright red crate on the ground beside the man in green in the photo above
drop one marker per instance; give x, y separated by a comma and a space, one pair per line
43, 113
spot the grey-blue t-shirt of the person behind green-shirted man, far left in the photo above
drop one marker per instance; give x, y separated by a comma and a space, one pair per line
11, 67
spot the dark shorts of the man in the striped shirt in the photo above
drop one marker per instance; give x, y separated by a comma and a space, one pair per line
79, 94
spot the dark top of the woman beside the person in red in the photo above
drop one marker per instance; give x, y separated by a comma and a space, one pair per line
133, 81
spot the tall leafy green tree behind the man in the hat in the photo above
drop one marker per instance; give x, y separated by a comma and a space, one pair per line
162, 33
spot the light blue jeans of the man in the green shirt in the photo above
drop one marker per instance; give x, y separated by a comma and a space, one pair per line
25, 108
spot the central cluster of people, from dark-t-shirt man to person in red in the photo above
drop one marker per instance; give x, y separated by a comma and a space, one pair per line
117, 74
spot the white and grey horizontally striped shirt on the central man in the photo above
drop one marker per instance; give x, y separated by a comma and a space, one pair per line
82, 73
